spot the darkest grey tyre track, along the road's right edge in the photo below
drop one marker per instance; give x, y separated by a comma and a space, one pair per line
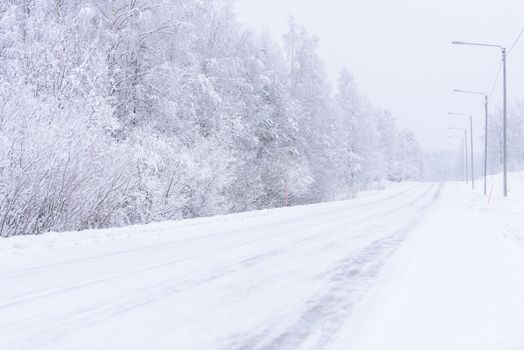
326, 312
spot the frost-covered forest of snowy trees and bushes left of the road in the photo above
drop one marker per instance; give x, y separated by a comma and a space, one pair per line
121, 112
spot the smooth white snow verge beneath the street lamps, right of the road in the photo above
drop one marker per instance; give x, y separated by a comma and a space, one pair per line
458, 284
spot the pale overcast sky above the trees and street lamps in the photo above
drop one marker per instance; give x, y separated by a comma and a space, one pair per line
400, 53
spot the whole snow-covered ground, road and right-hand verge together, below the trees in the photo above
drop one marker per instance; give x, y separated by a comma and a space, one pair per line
416, 266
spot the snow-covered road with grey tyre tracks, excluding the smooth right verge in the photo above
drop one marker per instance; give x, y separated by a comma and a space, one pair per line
293, 278
